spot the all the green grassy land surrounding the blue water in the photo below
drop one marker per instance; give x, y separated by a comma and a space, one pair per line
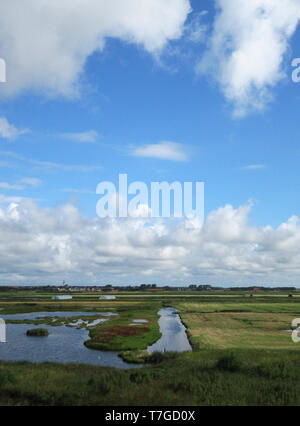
242, 354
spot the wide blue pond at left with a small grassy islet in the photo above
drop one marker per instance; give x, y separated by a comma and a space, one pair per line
64, 344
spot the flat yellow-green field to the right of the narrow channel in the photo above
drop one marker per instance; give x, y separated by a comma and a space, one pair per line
261, 324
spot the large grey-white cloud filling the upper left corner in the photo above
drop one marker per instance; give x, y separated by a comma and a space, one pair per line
46, 44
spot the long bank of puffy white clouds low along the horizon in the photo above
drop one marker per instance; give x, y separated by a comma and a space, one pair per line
47, 245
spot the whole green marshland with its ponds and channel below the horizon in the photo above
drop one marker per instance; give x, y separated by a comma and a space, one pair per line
236, 349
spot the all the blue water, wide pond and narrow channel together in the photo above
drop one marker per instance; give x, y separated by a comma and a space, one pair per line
66, 344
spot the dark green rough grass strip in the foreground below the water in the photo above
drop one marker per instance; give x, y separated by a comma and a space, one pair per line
188, 379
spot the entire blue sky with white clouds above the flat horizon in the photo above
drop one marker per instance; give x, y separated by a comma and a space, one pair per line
162, 90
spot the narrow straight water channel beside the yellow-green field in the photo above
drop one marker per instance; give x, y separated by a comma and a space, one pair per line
174, 337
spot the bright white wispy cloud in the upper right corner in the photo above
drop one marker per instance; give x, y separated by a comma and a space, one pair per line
247, 48
